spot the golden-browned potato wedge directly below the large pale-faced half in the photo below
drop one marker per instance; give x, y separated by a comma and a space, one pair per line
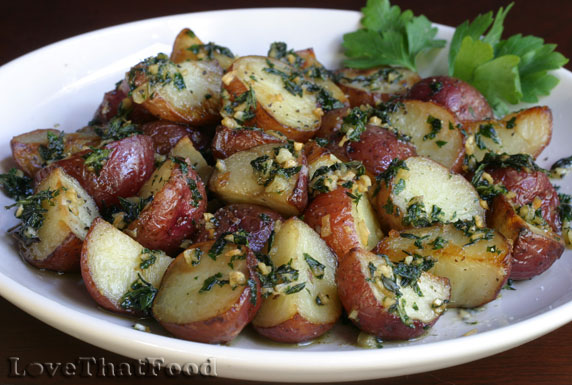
476, 261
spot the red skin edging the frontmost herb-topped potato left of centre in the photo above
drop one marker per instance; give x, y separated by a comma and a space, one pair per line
223, 327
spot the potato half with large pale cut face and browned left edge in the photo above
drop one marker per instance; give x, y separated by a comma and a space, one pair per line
418, 192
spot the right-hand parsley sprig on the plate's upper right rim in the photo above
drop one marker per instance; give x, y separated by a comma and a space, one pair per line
505, 71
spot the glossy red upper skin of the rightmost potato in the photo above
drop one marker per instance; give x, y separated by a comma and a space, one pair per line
529, 185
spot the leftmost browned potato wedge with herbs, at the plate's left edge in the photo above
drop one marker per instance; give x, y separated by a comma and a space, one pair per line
34, 150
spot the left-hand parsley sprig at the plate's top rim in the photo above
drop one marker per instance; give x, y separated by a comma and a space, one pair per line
389, 37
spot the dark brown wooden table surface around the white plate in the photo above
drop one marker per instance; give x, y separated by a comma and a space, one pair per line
25, 26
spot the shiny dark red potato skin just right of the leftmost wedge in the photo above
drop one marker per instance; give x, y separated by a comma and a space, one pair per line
130, 164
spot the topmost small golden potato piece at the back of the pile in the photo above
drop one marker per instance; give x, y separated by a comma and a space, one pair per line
188, 46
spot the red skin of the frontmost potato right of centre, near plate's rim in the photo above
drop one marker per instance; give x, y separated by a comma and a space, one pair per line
372, 317
